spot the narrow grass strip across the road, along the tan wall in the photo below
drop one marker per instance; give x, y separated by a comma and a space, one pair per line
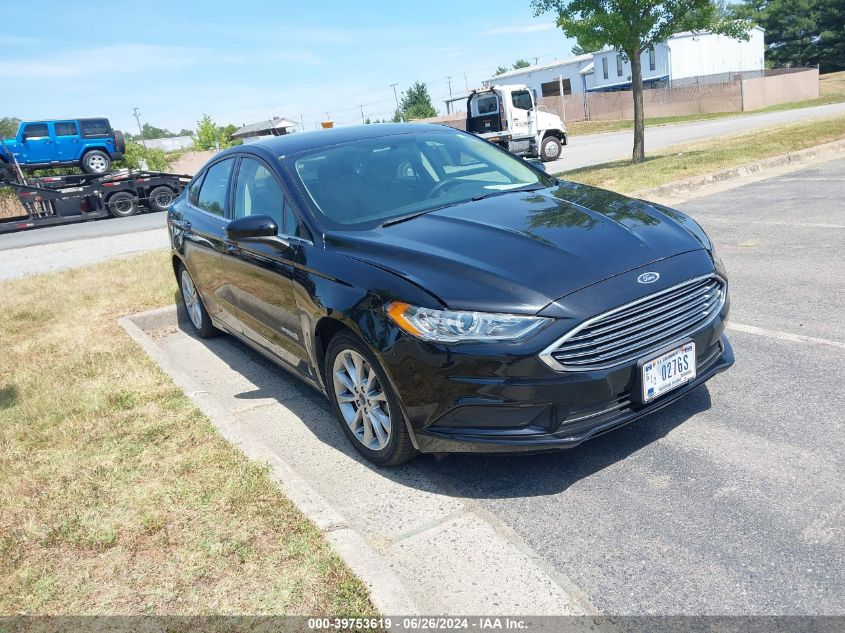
831, 90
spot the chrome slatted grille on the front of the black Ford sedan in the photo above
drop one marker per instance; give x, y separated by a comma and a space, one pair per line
630, 331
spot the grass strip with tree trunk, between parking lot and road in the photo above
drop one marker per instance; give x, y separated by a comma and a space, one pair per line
682, 161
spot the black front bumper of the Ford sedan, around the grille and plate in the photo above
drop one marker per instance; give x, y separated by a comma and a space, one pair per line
488, 398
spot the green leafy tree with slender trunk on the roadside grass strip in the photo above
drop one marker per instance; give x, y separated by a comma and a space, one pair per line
634, 26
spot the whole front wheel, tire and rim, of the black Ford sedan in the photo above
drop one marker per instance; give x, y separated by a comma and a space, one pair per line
347, 355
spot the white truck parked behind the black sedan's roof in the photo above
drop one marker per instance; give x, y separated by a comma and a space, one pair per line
508, 116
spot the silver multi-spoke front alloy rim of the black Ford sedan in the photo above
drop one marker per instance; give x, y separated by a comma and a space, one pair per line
361, 399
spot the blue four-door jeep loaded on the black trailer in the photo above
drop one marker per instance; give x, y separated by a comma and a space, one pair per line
90, 143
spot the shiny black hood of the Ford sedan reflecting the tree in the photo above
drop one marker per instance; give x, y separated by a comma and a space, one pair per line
518, 252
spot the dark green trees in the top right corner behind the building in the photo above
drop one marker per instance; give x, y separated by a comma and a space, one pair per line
800, 32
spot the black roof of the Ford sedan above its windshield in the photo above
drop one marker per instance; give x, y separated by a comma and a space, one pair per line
318, 139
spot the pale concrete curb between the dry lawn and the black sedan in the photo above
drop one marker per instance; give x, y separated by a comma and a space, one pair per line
387, 590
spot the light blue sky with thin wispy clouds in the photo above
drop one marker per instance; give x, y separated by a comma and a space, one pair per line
245, 61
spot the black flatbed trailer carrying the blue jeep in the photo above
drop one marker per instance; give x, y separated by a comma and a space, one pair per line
52, 200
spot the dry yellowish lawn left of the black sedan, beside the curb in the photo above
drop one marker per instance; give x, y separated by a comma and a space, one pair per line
116, 494
